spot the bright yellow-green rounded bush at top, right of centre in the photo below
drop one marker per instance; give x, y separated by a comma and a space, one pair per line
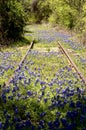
63, 14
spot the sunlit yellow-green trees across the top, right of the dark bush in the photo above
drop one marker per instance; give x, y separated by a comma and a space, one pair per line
64, 12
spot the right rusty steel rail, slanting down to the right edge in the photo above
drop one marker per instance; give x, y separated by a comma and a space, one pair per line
72, 63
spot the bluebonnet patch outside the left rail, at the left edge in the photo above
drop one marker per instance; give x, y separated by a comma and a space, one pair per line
8, 60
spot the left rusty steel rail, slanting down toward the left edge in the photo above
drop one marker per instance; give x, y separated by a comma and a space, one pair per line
20, 64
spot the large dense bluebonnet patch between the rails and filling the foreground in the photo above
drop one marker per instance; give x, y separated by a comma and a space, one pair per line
22, 106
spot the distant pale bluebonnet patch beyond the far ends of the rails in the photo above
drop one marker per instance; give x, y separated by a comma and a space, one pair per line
48, 36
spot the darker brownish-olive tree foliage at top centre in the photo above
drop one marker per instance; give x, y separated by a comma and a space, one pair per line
41, 10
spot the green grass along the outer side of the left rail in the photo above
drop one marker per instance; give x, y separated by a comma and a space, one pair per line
20, 47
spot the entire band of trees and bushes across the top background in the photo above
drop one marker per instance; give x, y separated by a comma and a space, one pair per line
67, 13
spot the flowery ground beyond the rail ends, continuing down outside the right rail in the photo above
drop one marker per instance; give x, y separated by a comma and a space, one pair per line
47, 34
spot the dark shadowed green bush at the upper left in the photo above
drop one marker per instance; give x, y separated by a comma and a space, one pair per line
12, 19
